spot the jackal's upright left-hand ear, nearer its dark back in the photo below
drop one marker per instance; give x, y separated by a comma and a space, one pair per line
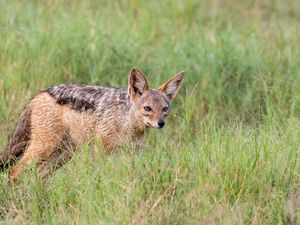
137, 83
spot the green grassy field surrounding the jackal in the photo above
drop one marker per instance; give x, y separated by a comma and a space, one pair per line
230, 151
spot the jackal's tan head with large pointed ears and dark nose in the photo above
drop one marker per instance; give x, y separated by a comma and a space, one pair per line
152, 106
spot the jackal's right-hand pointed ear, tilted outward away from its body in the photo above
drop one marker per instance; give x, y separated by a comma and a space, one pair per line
171, 87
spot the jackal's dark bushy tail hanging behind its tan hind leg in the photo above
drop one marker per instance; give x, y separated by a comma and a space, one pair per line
17, 141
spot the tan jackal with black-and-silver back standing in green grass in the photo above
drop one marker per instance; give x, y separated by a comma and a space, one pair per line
60, 117
